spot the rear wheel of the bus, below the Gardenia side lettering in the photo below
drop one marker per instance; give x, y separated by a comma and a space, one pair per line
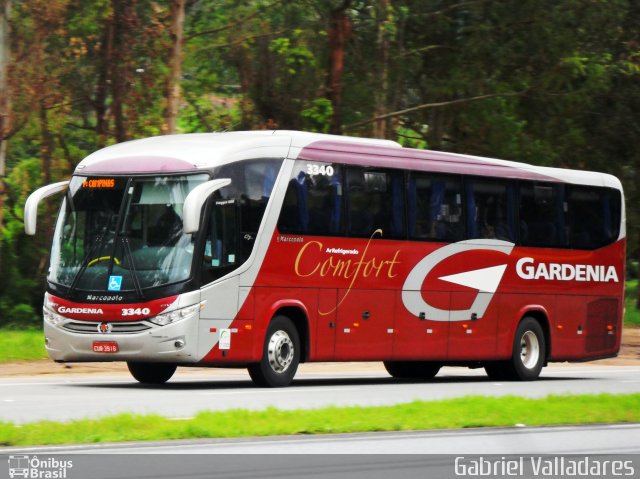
529, 352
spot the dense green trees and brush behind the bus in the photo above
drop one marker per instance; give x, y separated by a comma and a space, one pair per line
546, 82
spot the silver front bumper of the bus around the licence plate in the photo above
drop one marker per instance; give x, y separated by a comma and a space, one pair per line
175, 343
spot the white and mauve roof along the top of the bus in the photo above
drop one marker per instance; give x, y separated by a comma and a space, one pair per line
193, 152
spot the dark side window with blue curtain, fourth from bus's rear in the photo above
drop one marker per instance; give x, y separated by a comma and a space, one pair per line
435, 207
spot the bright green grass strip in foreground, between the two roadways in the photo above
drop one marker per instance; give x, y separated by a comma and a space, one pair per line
471, 411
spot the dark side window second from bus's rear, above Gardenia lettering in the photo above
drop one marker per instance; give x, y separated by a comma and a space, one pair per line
542, 215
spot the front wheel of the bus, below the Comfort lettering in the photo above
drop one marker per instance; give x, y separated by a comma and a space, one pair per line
280, 355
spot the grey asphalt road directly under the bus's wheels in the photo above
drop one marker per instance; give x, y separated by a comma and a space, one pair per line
64, 397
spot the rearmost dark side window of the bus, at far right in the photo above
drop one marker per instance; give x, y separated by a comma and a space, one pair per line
594, 216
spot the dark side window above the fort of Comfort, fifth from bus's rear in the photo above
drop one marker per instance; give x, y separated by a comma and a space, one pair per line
376, 201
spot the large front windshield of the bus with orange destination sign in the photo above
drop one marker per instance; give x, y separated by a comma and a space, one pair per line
123, 234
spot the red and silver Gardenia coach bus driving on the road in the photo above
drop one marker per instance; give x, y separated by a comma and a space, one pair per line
270, 248
